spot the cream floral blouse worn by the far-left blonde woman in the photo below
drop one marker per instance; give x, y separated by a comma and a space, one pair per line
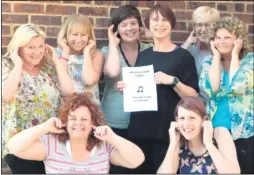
35, 101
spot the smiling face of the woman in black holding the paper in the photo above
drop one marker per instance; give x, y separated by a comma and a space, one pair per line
159, 26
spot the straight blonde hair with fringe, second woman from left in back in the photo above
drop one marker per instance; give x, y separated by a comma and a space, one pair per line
76, 19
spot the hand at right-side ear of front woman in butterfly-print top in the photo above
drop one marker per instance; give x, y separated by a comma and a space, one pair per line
207, 132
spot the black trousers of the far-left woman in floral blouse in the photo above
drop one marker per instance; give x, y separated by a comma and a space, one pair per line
22, 166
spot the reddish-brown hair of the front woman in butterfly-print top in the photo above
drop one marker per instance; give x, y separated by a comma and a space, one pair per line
193, 104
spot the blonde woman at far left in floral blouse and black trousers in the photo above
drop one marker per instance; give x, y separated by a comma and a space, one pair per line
32, 80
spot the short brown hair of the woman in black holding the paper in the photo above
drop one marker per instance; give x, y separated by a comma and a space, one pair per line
165, 11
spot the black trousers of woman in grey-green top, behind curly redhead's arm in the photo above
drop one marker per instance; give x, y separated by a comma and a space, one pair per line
118, 169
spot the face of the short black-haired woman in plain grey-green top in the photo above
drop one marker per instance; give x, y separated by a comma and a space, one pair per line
129, 29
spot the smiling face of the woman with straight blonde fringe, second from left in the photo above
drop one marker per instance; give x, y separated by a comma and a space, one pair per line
77, 38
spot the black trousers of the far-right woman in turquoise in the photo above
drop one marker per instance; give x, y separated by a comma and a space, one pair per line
244, 148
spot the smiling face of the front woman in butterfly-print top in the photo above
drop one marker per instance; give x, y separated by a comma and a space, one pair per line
190, 123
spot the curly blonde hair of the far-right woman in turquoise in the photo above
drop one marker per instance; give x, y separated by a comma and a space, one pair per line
235, 26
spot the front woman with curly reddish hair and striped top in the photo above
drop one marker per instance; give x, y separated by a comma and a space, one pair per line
77, 141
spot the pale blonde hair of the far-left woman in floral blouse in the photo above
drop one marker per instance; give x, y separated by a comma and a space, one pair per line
23, 35
